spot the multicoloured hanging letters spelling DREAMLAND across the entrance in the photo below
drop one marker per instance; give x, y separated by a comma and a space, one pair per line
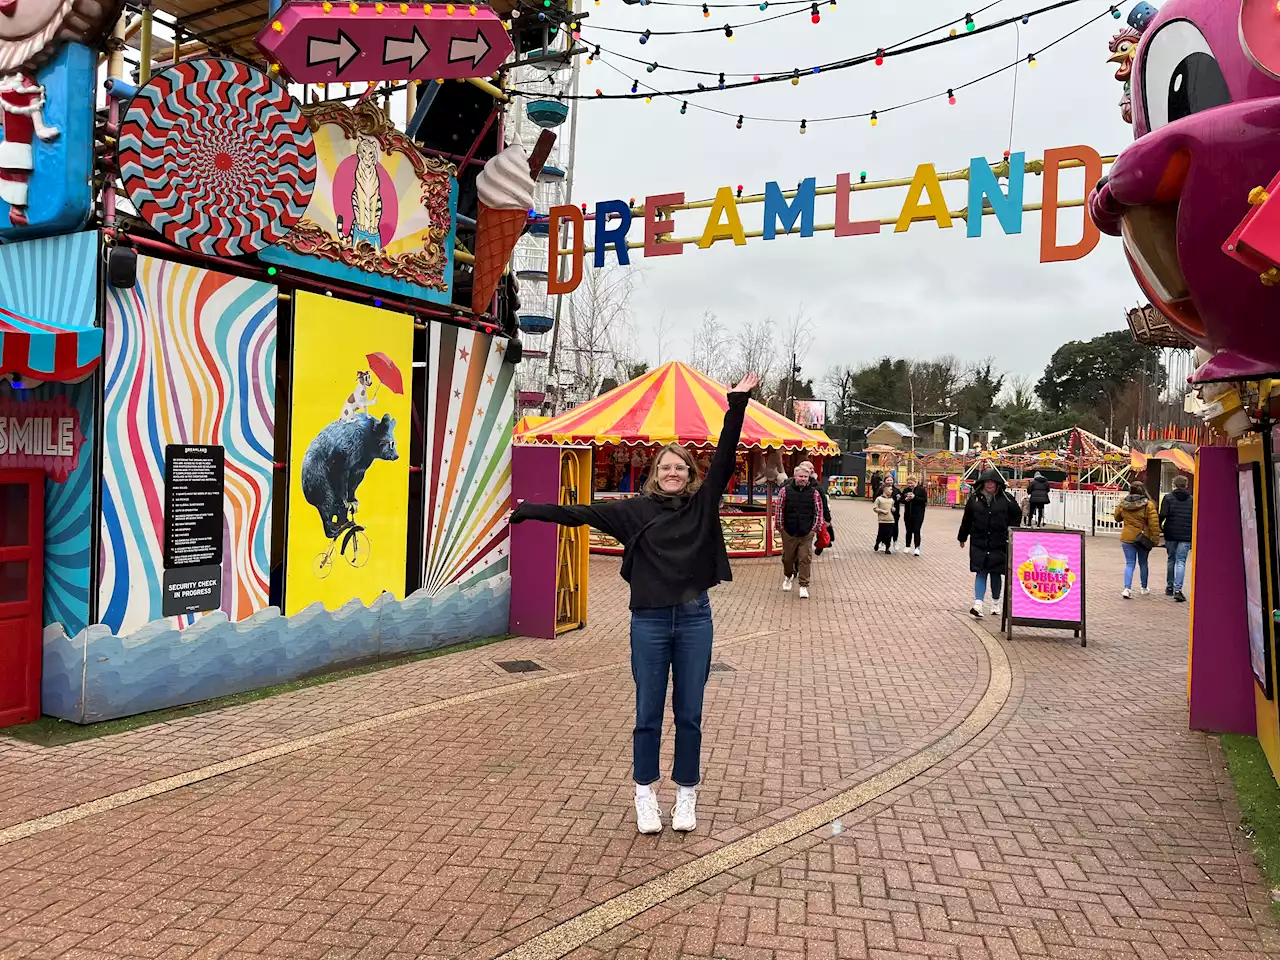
925, 202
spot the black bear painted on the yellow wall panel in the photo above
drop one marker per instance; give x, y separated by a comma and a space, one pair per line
336, 464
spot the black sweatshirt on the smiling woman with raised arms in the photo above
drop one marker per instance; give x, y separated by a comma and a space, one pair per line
683, 552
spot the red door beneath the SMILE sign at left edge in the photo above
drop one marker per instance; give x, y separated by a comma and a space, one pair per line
22, 570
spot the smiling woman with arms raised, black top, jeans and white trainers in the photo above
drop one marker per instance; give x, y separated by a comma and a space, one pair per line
673, 554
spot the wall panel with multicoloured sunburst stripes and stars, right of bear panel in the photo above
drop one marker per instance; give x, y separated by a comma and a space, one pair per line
470, 409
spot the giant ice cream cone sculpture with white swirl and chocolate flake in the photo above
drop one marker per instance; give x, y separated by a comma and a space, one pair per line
506, 193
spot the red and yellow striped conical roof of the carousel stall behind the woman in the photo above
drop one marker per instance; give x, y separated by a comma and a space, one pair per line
674, 404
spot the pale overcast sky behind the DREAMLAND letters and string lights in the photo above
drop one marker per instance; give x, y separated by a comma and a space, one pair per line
916, 295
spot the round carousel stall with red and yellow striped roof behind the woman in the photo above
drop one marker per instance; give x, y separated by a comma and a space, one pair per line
675, 404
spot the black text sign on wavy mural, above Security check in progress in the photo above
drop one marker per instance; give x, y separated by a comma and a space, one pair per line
194, 506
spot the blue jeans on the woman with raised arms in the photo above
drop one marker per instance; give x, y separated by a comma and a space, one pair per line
676, 641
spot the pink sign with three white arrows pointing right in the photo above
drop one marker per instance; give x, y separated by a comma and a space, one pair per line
323, 43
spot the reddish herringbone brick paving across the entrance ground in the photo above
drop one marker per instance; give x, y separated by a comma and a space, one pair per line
1085, 822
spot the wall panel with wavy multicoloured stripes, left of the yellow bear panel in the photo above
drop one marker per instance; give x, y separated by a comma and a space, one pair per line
190, 359
